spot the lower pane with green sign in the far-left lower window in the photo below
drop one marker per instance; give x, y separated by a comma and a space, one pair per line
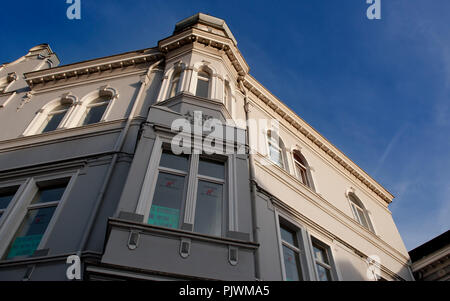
30, 232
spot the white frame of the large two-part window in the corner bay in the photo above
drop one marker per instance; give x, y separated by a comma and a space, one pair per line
148, 188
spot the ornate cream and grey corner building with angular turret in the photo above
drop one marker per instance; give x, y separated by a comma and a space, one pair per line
89, 167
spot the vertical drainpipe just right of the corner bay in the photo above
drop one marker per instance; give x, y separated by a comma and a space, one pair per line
252, 184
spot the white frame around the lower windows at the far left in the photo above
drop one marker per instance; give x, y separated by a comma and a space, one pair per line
21, 203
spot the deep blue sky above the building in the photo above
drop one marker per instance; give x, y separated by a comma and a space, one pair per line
379, 90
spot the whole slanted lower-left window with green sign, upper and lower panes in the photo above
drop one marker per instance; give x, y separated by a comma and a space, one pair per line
37, 218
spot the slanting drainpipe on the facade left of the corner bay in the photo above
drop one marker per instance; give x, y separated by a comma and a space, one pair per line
117, 147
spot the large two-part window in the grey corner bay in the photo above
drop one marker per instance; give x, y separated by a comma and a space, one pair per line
171, 197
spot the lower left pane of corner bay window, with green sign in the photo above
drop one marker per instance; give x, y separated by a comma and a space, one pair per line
167, 201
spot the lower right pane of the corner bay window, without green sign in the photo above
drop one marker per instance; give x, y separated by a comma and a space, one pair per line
208, 210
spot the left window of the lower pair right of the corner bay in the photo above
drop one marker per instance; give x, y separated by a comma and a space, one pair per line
291, 254
